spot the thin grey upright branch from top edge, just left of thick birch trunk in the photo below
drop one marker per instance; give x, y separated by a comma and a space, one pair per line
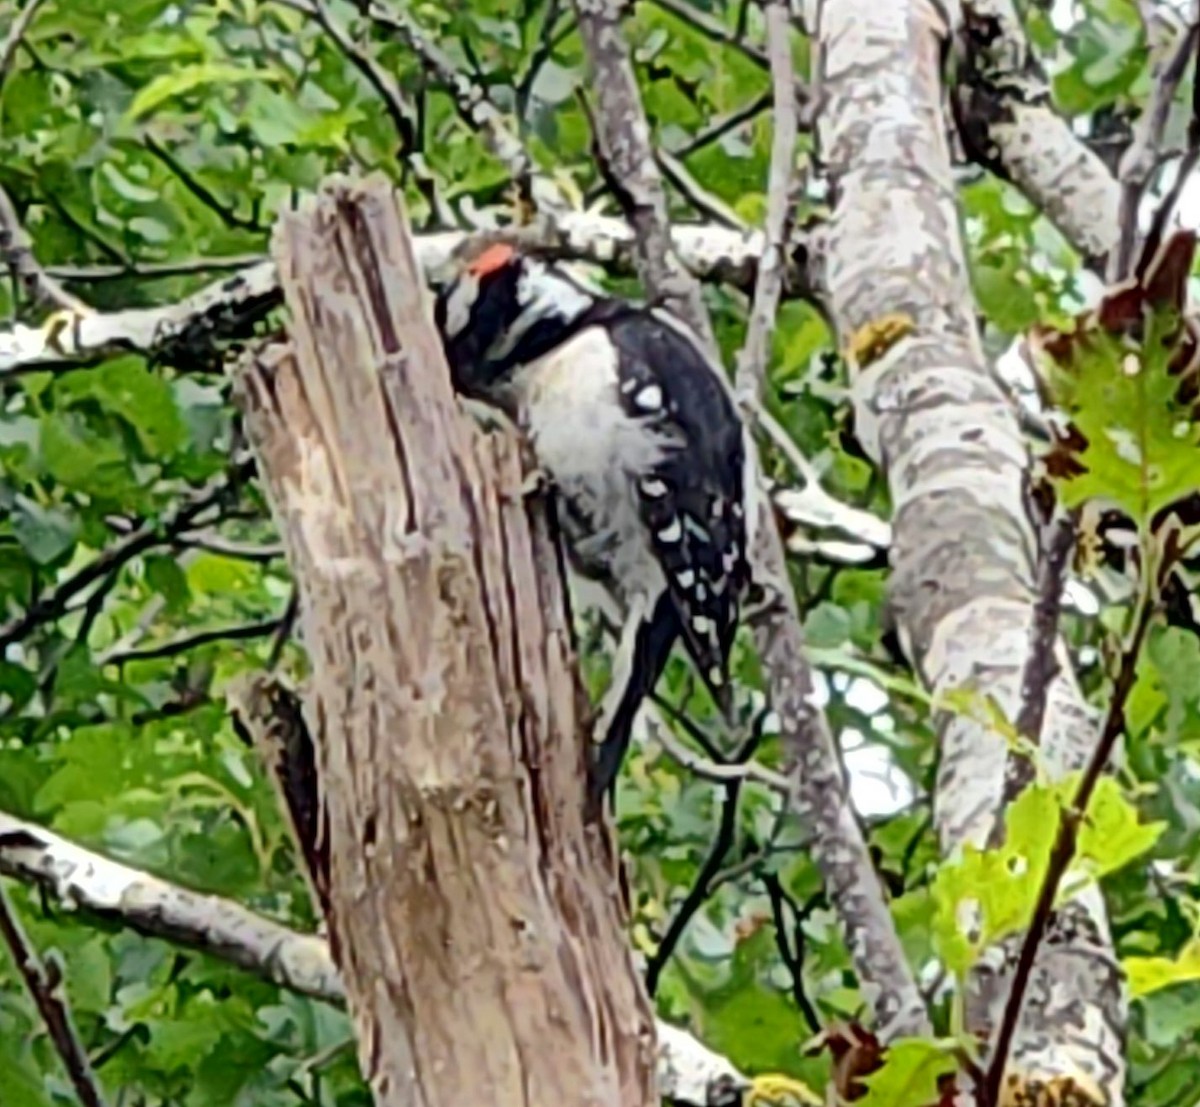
755, 352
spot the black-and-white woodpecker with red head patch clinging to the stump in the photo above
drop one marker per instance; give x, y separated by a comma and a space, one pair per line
640, 438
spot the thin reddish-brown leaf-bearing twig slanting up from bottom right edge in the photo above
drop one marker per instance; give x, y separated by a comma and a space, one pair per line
1065, 847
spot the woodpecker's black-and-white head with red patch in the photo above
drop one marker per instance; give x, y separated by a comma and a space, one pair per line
503, 310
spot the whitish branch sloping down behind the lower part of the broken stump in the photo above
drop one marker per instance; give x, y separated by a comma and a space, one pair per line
689, 1073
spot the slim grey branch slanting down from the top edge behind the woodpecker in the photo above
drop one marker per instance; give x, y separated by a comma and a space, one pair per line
820, 793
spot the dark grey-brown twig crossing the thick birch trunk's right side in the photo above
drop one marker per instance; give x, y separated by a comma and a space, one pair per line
1042, 663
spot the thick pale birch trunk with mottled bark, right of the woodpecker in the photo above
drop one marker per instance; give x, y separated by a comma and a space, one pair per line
964, 552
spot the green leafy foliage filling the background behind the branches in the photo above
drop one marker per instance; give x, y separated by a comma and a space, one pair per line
148, 147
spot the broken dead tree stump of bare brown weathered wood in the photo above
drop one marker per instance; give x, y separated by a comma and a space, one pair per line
475, 918
